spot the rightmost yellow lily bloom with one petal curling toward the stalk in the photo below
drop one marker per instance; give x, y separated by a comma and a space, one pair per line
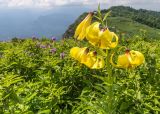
130, 59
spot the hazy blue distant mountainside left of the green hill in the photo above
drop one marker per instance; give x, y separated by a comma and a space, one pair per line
40, 23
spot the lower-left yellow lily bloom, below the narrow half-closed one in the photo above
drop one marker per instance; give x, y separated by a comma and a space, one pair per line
87, 58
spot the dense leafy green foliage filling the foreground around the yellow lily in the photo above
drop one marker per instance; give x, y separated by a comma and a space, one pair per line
33, 79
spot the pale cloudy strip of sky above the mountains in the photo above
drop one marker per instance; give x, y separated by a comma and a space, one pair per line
47, 4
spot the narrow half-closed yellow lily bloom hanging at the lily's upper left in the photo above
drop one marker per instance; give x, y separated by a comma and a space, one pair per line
80, 32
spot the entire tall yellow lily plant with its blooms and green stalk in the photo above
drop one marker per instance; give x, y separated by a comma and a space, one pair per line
103, 39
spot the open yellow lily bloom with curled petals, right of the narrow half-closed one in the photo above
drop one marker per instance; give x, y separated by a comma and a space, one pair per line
101, 38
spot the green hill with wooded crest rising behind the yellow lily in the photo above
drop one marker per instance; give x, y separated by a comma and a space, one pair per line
127, 20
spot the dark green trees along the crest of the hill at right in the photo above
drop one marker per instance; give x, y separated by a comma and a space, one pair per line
147, 17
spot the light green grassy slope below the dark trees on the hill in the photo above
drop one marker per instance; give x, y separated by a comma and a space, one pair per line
130, 27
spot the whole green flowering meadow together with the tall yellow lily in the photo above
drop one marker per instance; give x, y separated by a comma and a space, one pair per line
49, 76
